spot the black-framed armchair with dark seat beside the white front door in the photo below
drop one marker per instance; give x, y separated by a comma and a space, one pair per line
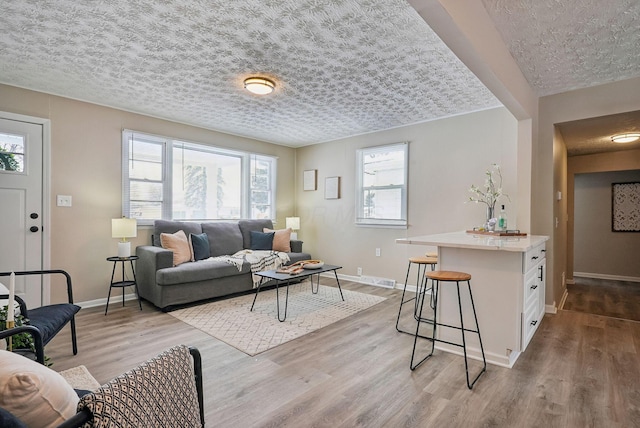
49, 320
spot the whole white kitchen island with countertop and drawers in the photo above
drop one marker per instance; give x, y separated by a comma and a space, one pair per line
508, 285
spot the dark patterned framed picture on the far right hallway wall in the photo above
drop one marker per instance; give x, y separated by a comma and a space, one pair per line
625, 207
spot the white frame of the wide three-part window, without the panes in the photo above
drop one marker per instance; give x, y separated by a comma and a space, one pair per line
167, 174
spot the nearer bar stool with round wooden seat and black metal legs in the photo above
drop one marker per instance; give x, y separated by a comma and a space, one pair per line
436, 278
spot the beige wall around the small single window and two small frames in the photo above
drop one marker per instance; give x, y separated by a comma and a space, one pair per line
446, 157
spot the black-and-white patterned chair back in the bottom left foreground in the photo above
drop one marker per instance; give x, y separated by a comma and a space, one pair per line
159, 393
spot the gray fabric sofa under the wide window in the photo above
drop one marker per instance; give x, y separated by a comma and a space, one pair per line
167, 286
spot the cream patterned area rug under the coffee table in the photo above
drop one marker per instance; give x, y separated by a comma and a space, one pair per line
253, 332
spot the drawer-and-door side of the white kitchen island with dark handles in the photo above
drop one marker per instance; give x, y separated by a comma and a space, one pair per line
534, 267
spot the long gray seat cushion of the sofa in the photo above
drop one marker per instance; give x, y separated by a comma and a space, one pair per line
202, 270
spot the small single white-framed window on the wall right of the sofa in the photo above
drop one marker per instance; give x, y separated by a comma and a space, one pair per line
381, 193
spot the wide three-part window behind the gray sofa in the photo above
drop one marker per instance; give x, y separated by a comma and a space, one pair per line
177, 180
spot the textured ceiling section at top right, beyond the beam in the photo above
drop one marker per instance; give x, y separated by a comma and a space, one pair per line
561, 45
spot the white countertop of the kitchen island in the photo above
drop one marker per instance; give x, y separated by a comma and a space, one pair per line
463, 239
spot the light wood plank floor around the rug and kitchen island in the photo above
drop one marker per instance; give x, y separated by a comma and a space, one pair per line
580, 370
